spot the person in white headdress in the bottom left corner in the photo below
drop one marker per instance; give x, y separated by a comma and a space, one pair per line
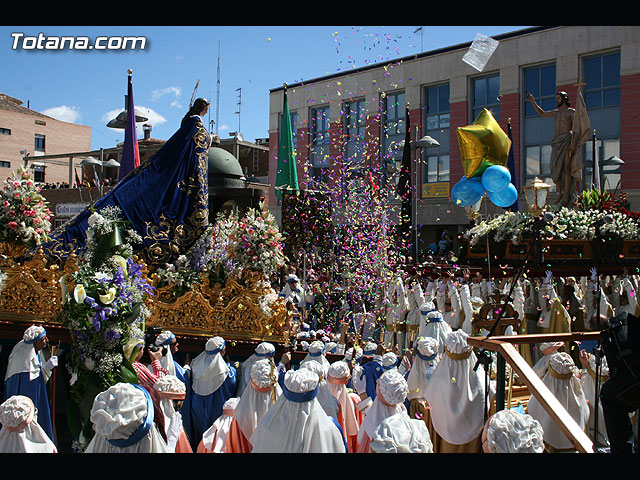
20, 431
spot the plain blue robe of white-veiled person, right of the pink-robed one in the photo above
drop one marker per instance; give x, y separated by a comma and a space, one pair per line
207, 409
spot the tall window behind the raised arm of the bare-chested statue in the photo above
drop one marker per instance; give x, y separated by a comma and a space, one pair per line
538, 132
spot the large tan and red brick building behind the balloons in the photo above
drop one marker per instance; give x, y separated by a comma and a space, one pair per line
356, 119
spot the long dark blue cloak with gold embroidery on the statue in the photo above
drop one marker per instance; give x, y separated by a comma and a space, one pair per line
165, 199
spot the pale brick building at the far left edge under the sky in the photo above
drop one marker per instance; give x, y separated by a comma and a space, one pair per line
27, 133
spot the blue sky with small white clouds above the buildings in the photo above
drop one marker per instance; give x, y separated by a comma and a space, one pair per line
88, 86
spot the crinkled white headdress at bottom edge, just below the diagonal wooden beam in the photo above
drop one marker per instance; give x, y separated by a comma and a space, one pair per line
510, 431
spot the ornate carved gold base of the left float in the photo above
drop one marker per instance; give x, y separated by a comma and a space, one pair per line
32, 293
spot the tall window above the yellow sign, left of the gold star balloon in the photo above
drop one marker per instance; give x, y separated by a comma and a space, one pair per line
435, 161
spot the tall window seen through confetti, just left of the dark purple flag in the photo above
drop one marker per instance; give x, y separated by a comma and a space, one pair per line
393, 132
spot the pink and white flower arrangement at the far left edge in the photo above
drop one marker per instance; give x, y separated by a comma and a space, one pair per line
24, 215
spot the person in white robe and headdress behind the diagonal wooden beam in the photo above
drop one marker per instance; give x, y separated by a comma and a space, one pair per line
562, 382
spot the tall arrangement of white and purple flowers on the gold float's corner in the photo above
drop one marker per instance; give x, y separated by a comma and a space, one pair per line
104, 311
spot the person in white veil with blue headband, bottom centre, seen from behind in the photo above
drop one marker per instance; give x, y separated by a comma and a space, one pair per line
296, 423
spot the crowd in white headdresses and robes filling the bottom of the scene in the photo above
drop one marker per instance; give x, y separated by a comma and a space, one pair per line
393, 372
